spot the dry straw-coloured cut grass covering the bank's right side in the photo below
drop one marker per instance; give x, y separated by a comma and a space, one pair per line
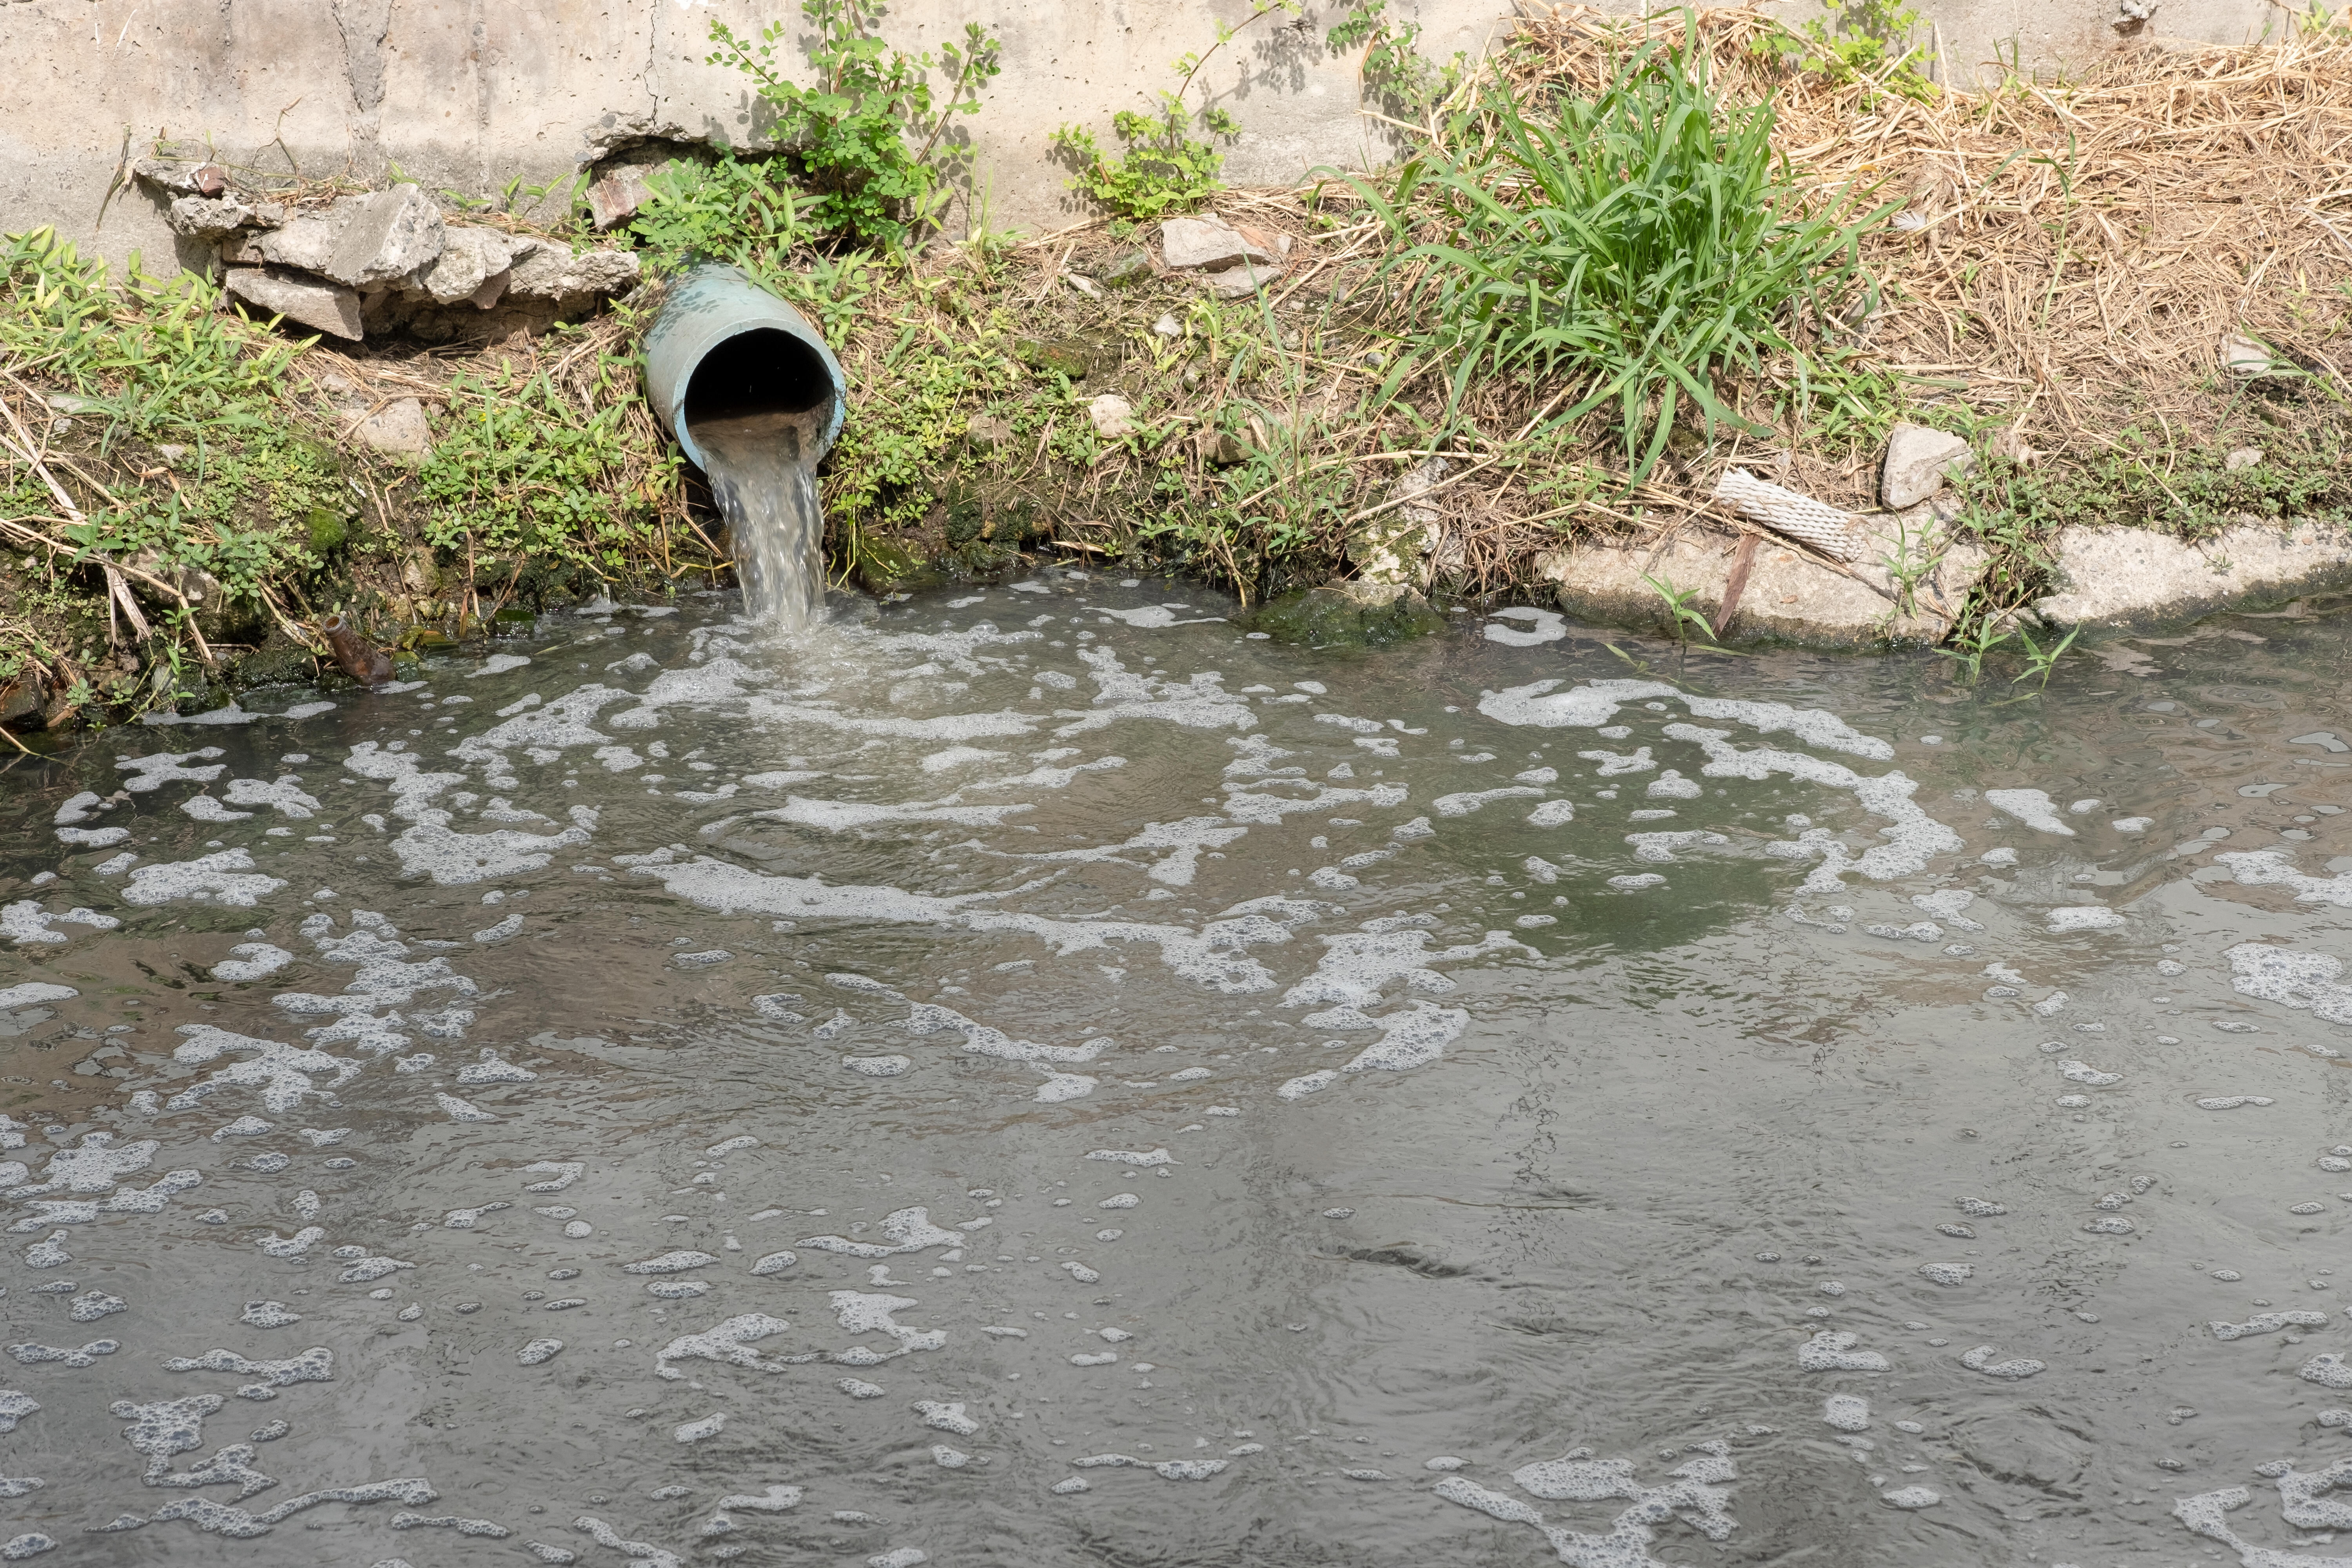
2076, 250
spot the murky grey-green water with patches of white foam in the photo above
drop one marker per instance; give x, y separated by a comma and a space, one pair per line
1048, 1080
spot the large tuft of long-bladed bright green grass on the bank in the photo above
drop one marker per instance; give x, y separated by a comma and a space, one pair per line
1641, 243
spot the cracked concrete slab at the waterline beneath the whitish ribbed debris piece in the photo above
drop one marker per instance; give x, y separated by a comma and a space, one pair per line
1789, 596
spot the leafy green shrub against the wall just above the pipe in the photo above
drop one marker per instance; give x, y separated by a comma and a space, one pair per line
862, 140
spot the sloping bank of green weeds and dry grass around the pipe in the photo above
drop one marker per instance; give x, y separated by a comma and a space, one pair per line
1608, 264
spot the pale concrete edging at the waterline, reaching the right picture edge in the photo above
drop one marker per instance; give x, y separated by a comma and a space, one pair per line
2130, 577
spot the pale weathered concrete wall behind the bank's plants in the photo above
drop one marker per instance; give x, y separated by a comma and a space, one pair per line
476, 93
